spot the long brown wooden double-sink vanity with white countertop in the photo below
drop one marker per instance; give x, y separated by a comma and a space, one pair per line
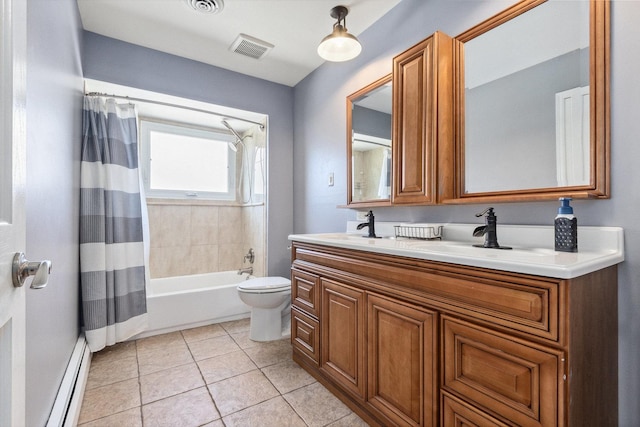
427, 333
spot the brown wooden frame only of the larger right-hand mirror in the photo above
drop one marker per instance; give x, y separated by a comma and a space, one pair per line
599, 63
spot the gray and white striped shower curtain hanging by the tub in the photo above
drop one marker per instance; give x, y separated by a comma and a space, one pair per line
113, 256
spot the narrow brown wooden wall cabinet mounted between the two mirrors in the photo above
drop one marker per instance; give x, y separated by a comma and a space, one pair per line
423, 122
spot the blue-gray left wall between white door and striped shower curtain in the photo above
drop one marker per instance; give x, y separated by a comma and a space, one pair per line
54, 103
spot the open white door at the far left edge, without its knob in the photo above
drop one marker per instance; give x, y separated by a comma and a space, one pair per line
12, 209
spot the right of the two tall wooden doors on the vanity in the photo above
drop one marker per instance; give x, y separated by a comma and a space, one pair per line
402, 367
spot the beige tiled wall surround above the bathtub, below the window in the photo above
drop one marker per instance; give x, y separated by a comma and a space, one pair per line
191, 238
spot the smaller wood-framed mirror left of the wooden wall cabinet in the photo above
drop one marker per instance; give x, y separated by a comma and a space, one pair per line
369, 144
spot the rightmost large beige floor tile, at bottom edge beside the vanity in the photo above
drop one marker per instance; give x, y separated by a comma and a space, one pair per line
326, 408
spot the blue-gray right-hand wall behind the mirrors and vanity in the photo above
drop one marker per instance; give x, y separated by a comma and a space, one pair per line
320, 149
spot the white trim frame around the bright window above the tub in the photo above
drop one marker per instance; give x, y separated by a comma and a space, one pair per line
146, 126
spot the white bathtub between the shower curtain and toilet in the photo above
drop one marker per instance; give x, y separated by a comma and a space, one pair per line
183, 302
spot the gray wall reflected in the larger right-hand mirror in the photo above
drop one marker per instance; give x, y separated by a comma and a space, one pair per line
505, 139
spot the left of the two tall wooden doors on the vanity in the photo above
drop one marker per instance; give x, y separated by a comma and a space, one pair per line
342, 329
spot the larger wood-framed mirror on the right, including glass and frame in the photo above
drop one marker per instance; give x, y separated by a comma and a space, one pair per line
533, 103
